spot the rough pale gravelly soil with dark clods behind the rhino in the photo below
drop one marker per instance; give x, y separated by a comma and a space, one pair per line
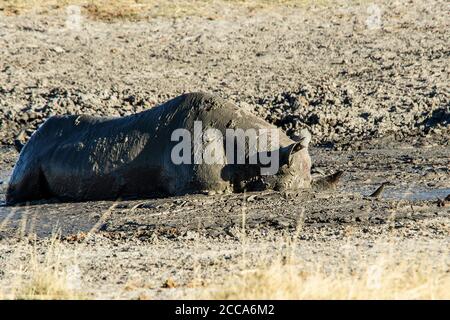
334, 69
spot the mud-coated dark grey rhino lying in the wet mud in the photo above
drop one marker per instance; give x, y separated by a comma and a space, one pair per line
82, 157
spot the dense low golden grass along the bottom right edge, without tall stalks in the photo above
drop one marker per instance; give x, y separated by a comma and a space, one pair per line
386, 277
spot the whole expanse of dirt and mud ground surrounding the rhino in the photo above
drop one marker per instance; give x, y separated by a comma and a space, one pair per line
371, 82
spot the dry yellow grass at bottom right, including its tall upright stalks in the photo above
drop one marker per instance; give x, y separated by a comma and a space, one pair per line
394, 272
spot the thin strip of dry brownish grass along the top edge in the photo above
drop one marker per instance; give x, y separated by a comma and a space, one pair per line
134, 10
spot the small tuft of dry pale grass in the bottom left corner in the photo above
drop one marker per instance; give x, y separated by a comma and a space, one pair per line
49, 275
